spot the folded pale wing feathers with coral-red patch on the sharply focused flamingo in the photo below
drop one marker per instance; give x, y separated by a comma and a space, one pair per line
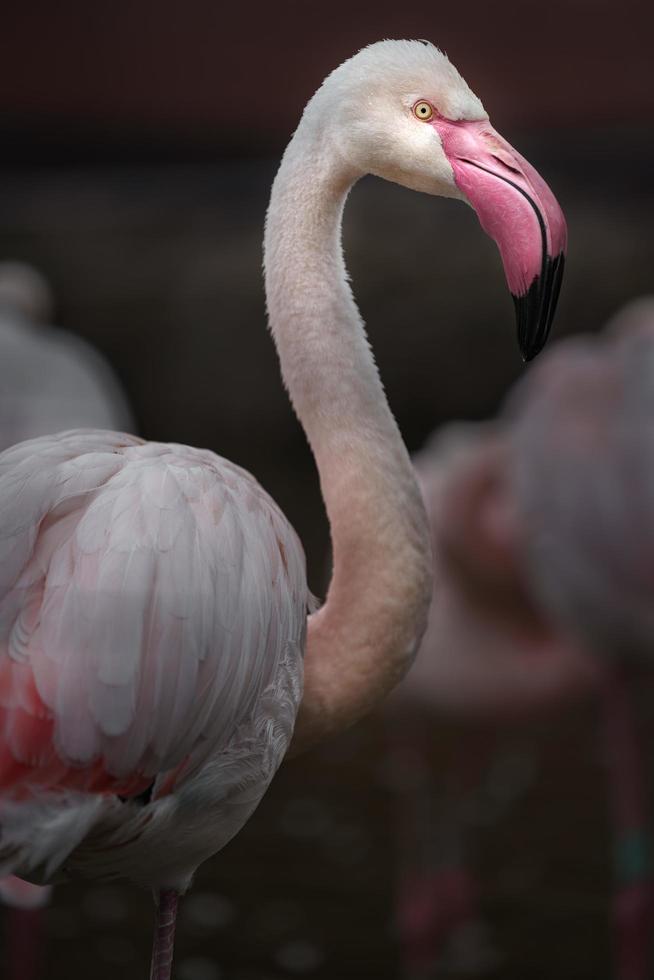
148, 595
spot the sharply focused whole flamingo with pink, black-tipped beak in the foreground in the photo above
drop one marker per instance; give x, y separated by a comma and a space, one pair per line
153, 598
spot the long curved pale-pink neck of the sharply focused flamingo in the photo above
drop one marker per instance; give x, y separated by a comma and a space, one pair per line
362, 640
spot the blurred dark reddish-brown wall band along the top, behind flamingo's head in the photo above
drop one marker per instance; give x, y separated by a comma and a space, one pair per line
242, 71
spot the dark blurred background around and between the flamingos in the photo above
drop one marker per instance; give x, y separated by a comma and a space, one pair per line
139, 143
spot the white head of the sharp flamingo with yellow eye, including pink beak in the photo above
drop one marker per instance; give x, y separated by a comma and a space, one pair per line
402, 111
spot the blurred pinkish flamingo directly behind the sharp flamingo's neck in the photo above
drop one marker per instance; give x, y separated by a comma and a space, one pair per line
477, 664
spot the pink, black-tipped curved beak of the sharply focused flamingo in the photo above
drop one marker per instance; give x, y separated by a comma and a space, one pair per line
518, 210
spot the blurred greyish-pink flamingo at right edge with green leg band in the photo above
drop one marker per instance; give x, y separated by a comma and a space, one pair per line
587, 559
